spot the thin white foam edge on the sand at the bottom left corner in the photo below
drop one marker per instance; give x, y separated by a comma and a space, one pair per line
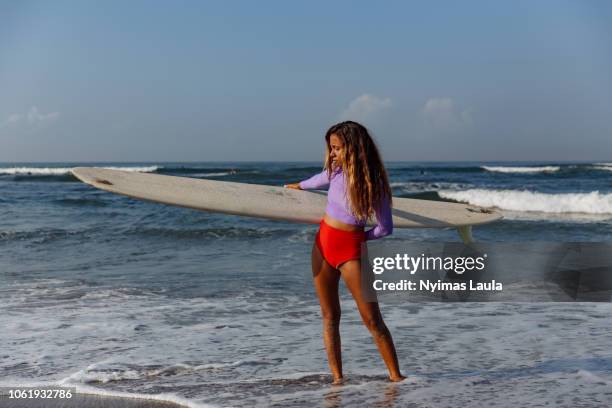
86, 389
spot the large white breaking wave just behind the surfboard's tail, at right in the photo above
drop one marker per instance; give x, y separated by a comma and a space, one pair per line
593, 202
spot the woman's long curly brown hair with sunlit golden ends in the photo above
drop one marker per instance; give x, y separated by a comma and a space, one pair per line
365, 174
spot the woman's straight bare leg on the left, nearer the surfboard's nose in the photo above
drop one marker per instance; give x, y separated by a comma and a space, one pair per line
326, 281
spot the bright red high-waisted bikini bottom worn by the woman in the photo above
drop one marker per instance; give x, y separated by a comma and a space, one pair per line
338, 246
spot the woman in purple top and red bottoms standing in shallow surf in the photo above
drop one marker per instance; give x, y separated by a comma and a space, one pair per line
358, 191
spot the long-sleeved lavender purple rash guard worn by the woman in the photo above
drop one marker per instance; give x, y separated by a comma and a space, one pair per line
338, 204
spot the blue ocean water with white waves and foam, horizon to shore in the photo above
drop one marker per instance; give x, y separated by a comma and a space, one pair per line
114, 295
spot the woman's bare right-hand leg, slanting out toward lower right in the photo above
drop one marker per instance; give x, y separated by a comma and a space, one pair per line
372, 318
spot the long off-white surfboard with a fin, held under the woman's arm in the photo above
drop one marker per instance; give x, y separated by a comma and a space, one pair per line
273, 202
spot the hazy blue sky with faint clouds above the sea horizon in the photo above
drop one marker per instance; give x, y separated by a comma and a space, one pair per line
244, 80
